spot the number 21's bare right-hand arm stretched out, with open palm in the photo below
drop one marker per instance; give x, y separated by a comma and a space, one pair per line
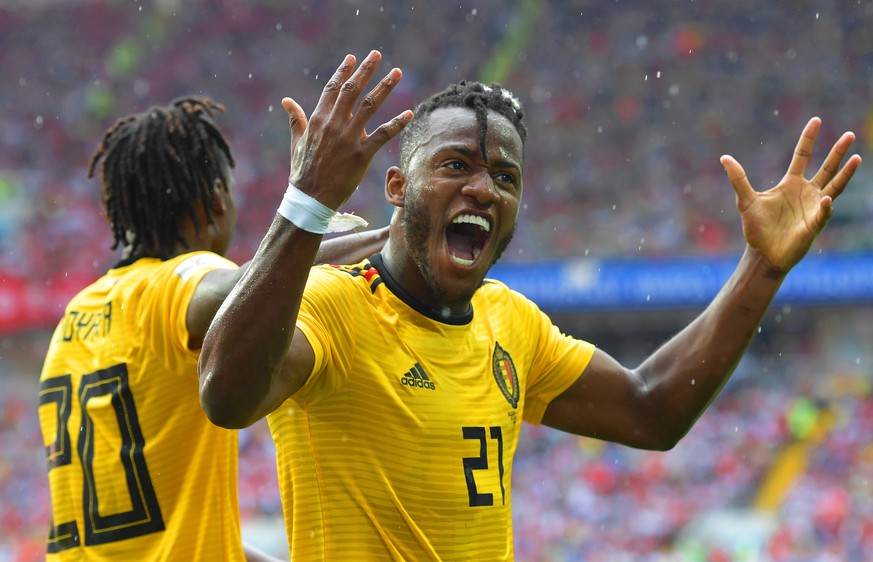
655, 404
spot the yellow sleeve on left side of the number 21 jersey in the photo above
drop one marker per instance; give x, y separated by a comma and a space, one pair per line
329, 316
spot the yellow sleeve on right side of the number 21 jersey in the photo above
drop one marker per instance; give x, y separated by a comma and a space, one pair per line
558, 360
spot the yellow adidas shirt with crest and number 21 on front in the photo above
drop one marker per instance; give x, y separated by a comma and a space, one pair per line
400, 445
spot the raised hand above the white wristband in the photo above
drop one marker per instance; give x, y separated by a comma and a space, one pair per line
331, 151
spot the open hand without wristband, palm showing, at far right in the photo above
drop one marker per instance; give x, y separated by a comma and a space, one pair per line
782, 223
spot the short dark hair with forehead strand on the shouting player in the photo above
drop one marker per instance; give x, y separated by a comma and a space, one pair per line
477, 96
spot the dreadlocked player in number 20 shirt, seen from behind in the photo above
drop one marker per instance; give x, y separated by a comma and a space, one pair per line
136, 470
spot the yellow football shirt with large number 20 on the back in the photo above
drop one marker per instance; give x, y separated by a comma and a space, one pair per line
136, 470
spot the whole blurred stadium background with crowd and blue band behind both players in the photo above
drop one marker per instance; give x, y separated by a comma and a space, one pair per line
628, 228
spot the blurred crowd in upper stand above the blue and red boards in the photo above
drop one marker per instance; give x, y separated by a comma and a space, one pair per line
628, 112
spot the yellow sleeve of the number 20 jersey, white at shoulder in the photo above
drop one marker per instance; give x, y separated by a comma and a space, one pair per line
163, 310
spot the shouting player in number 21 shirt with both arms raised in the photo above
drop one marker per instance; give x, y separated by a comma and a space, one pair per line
395, 389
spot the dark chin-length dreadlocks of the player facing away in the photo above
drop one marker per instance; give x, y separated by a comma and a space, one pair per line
159, 167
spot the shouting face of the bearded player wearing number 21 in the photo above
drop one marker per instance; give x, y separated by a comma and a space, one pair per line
460, 206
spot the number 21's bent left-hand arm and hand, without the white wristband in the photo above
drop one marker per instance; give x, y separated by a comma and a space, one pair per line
253, 358
